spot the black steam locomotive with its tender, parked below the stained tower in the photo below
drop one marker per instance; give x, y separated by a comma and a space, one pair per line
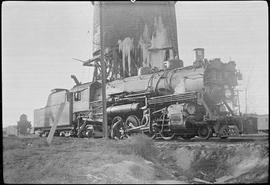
177, 101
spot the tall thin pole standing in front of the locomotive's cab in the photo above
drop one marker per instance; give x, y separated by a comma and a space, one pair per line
103, 71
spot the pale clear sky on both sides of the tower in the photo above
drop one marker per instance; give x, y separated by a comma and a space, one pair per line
39, 40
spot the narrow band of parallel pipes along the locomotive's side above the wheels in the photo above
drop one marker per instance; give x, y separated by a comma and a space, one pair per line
183, 97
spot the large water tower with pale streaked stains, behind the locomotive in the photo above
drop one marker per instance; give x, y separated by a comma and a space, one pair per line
135, 35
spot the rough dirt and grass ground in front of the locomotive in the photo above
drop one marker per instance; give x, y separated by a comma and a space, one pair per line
135, 160
